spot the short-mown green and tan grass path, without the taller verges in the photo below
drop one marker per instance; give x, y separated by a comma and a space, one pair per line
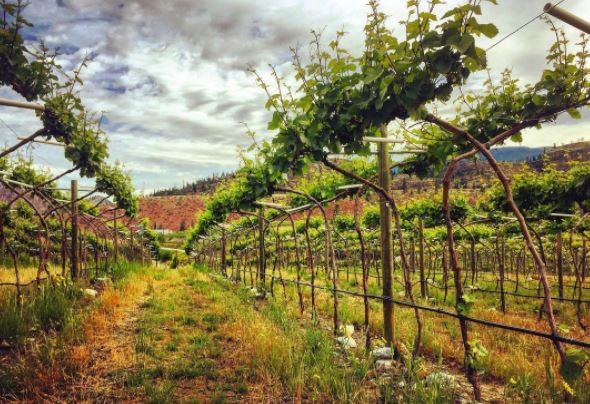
176, 344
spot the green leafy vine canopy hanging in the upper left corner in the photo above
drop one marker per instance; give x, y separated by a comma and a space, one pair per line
35, 75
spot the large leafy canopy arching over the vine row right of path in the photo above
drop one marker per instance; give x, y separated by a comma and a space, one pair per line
342, 98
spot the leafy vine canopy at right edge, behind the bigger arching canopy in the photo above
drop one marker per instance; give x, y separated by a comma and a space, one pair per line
506, 104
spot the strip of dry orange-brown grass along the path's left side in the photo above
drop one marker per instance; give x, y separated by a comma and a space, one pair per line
70, 365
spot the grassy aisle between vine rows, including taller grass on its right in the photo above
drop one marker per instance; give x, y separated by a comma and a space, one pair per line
189, 338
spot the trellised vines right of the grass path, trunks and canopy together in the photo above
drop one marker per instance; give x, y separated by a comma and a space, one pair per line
454, 255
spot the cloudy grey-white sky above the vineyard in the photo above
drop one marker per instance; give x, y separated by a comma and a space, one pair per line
171, 79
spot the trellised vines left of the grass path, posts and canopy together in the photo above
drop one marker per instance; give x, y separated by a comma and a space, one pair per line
62, 234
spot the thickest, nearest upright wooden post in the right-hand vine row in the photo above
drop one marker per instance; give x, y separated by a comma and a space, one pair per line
386, 241
